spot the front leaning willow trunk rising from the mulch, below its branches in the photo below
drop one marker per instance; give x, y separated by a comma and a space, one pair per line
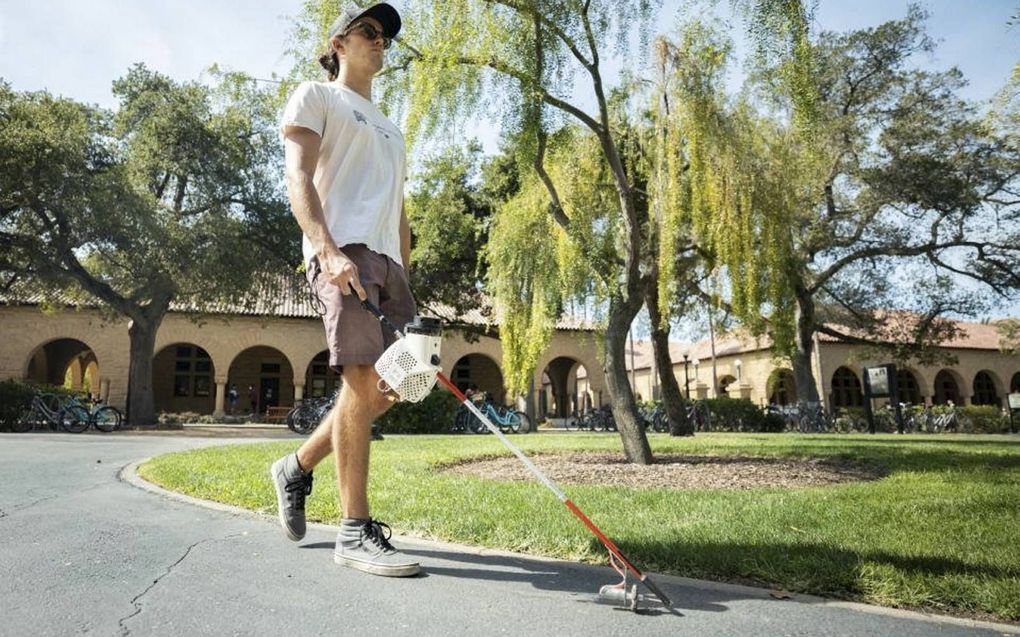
622, 314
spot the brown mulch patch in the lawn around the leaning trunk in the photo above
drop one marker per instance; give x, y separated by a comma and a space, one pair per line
676, 472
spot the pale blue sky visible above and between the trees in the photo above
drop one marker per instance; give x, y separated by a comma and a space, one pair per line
77, 48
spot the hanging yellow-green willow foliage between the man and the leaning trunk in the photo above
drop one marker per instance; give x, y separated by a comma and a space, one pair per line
537, 267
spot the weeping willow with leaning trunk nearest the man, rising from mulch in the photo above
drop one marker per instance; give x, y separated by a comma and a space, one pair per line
537, 67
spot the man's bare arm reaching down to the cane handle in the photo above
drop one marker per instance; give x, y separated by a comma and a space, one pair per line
301, 148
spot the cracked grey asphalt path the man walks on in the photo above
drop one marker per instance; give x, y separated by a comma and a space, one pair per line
83, 551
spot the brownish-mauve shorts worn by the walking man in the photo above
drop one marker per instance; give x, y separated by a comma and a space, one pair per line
353, 336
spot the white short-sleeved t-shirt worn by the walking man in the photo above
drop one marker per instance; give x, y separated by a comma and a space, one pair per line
362, 166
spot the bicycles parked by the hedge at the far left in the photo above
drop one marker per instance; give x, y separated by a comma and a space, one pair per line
70, 413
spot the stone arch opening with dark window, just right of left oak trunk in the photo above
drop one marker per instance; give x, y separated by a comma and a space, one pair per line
184, 380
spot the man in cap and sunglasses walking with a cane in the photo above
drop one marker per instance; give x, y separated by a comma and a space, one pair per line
345, 176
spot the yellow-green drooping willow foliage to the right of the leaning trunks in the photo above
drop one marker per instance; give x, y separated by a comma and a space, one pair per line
729, 179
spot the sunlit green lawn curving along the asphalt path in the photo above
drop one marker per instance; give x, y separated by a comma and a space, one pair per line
940, 533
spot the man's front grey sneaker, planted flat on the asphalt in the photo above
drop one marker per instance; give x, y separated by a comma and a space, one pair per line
365, 545
